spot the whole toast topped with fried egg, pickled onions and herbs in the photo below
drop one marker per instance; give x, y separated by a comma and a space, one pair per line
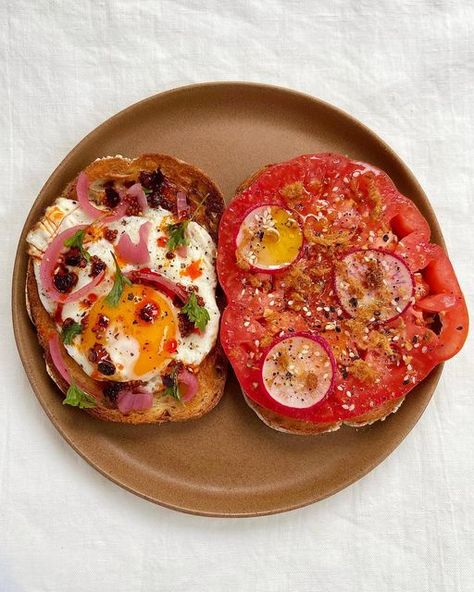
121, 287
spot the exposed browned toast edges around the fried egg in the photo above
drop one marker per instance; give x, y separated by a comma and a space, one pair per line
213, 370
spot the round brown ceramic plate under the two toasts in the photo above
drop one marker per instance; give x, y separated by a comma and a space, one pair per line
227, 463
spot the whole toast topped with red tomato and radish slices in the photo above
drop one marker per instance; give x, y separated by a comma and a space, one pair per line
338, 303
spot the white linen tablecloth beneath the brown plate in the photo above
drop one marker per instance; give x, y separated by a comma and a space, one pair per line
406, 69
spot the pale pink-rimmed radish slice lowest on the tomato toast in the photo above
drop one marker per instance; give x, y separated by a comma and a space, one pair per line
298, 370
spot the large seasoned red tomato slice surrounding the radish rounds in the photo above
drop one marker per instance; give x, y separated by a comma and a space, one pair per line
342, 206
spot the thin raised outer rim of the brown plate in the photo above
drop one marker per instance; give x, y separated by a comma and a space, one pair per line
19, 311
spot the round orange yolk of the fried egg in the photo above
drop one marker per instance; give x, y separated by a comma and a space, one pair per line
143, 315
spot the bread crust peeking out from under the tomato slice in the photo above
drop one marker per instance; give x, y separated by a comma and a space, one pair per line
306, 428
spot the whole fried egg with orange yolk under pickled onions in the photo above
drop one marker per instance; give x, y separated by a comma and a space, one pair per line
139, 349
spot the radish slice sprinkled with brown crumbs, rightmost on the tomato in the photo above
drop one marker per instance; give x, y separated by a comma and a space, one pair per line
373, 284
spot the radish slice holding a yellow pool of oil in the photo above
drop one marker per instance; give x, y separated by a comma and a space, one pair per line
269, 239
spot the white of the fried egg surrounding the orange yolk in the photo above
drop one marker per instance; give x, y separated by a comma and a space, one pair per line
192, 349
